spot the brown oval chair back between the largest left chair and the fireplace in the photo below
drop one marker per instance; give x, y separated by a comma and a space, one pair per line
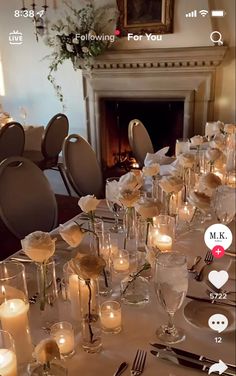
82, 167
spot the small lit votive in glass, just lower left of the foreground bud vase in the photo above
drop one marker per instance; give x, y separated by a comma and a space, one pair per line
63, 333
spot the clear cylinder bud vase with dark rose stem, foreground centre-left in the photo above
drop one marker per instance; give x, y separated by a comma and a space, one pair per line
89, 306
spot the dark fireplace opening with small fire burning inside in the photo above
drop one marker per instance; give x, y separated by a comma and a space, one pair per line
163, 119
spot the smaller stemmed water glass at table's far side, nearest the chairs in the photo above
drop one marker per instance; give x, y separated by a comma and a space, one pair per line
112, 193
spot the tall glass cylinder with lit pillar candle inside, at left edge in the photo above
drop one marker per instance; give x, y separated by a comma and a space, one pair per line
14, 307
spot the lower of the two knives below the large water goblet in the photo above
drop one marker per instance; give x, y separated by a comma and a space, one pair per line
187, 362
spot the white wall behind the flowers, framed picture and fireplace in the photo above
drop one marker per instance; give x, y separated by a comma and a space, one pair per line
25, 73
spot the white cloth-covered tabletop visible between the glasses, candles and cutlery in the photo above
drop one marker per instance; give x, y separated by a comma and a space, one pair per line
139, 323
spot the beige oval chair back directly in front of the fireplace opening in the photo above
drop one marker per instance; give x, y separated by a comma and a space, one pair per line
139, 141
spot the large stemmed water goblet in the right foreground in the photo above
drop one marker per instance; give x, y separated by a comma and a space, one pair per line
171, 285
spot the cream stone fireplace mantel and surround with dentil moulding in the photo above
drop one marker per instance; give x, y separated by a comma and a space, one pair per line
170, 77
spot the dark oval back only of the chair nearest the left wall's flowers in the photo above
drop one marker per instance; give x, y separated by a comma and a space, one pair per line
55, 133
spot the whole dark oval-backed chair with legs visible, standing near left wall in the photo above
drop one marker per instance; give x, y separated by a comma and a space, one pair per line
48, 158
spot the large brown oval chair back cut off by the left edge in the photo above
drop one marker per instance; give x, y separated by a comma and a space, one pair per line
27, 202
